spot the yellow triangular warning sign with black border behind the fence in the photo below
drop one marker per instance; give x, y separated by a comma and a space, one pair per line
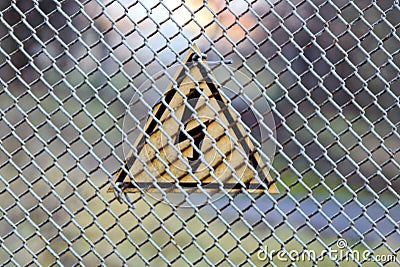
194, 142
